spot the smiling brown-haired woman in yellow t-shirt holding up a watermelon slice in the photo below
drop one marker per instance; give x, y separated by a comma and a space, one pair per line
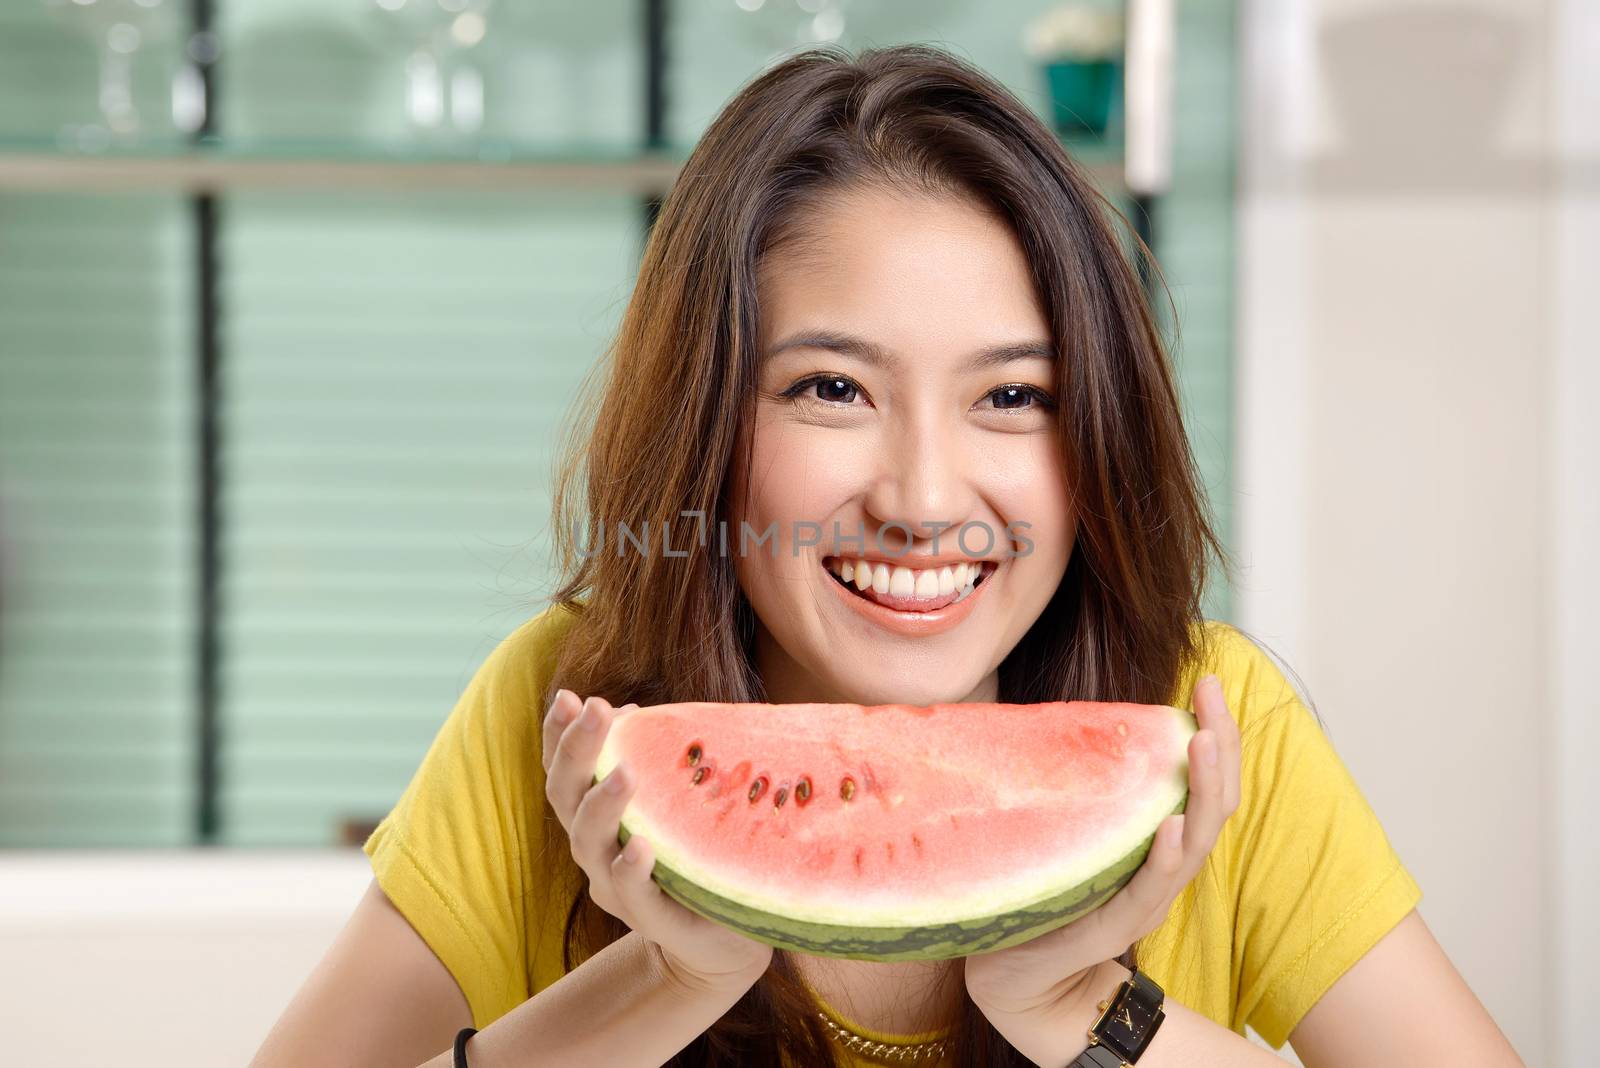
881, 306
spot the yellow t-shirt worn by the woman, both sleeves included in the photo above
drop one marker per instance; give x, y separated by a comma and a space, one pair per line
1302, 883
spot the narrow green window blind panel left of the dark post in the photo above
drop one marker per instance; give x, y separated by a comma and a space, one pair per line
97, 522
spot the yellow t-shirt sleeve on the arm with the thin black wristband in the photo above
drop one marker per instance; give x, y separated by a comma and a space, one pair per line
452, 855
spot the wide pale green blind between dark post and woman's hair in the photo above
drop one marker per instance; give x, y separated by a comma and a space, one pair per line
396, 373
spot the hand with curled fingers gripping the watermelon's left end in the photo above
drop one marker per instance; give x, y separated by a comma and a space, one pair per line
697, 952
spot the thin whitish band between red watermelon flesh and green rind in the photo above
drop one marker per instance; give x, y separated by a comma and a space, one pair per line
1012, 891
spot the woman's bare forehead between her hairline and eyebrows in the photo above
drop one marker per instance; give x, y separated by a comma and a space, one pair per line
932, 276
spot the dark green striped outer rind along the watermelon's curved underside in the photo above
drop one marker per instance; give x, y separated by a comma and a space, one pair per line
934, 942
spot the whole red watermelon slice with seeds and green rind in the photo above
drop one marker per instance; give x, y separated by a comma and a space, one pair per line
894, 832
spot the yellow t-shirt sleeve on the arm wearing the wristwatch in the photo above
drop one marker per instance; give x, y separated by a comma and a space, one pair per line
1319, 883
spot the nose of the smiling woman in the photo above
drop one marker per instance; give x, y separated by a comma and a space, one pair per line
921, 485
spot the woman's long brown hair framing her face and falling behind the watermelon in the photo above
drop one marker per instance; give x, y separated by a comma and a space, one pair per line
678, 393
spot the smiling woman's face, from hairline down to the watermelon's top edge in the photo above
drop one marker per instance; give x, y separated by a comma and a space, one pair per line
906, 439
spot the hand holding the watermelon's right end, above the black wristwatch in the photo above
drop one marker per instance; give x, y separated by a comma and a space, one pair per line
1052, 973
